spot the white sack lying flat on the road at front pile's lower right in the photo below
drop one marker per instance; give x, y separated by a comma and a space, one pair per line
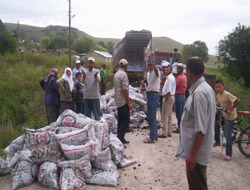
102, 177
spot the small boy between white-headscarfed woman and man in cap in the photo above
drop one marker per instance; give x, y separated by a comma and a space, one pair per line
78, 92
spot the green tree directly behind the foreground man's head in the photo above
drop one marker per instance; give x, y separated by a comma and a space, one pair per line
198, 48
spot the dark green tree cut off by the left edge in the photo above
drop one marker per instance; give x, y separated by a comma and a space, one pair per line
7, 42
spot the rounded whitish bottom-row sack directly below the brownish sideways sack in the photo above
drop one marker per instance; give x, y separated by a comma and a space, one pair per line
48, 175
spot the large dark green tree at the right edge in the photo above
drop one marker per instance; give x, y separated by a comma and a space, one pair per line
234, 52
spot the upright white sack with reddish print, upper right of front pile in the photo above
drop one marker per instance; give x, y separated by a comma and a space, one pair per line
102, 133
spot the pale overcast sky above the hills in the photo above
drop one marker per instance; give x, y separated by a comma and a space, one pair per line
182, 20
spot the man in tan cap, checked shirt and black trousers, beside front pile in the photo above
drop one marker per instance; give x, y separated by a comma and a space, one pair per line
122, 101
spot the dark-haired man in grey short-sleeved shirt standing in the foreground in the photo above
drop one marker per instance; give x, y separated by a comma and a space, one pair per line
197, 126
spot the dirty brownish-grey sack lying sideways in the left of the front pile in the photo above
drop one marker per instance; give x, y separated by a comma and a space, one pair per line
46, 153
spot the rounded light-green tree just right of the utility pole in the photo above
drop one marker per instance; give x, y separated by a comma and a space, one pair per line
84, 44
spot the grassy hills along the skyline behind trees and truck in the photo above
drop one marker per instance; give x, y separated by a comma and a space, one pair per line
33, 32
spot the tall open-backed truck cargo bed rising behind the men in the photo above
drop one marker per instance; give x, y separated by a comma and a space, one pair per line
134, 47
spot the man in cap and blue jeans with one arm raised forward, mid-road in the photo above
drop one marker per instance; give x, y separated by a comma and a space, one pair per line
153, 88
